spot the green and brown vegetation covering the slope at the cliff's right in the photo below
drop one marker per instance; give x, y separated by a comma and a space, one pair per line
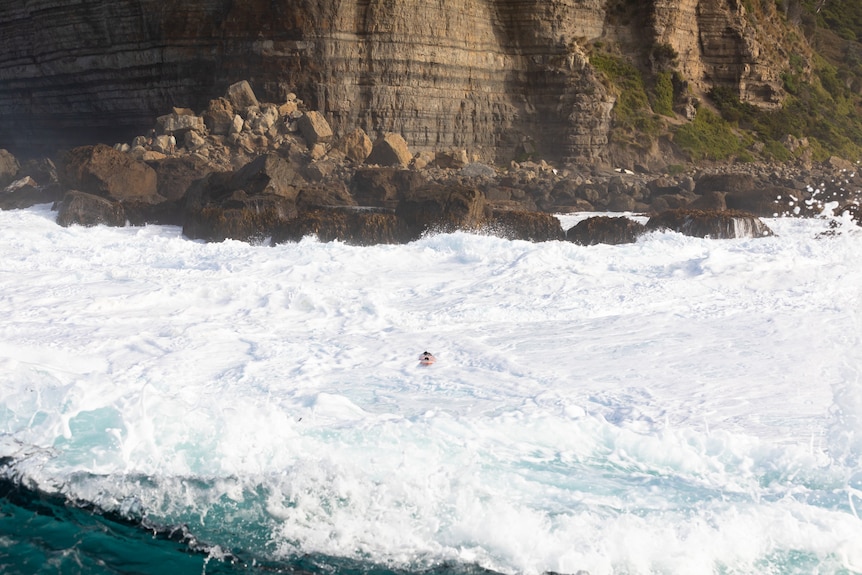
820, 115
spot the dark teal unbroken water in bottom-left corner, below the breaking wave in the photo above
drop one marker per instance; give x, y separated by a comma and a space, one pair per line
47, 534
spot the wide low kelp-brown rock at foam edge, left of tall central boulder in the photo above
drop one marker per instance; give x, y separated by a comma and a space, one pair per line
357, 226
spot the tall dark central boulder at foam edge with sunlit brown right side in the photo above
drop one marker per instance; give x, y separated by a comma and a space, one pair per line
441, 208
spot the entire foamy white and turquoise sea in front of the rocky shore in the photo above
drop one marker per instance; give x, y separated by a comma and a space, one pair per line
676, 406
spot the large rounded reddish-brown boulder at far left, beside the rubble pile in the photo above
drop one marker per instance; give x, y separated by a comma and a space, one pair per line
106, 172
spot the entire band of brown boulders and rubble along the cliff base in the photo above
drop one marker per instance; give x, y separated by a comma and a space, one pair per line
257, 171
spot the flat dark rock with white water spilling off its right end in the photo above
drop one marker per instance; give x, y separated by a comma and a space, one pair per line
714, 224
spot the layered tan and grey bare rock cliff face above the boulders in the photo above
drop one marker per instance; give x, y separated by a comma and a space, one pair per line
495, 77
